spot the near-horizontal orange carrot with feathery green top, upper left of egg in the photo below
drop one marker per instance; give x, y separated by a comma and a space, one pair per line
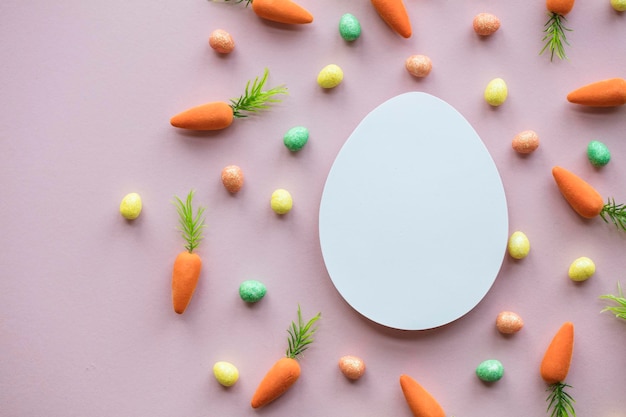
219, 115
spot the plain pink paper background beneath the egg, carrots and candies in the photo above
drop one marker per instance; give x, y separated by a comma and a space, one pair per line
87, 90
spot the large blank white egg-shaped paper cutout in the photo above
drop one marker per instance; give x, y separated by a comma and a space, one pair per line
413, 220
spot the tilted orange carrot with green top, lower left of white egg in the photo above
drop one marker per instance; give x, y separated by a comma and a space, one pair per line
286, 371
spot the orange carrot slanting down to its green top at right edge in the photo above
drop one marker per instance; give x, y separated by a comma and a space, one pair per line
586, 201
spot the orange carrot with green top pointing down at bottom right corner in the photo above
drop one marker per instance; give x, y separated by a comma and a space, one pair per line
554, 369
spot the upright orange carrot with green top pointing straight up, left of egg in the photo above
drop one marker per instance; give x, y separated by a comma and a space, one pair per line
188, 264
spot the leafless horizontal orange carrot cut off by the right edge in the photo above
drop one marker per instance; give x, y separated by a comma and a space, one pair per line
605, 93
